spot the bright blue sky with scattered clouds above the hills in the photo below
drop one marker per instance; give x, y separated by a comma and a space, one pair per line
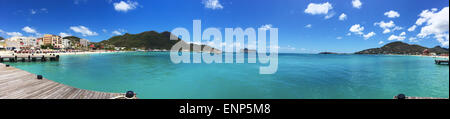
305, 26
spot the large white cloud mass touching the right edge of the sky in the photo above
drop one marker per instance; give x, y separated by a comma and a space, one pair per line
437, 24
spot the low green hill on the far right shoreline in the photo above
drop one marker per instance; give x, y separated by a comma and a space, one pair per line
405, 49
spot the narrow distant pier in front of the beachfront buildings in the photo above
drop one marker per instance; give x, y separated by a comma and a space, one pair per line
28, 58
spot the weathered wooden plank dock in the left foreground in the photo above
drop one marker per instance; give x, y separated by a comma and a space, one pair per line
19, 84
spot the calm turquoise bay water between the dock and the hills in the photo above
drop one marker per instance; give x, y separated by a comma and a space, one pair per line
299, 76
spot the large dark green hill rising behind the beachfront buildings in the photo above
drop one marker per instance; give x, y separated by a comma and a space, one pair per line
149, 40
